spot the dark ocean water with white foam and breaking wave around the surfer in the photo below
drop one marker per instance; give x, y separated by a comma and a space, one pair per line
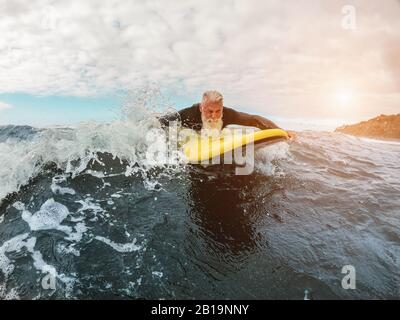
85, 214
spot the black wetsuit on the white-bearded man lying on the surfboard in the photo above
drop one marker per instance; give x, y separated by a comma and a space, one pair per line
191, 118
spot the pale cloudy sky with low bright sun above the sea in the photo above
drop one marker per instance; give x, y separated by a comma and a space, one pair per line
69, 61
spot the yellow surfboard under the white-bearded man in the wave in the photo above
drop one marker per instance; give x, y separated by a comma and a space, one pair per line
201, 148
